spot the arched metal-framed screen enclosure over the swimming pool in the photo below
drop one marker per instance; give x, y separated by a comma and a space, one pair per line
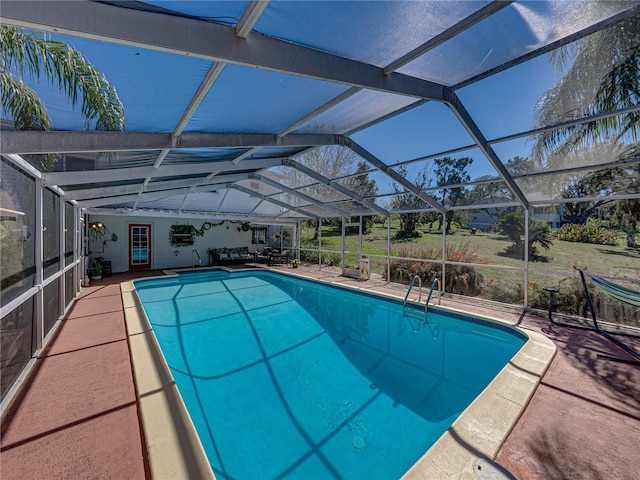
491, 145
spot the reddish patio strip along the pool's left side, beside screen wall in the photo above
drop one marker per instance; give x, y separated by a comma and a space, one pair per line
76, 416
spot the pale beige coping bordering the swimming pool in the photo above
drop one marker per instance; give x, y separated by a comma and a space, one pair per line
477, 433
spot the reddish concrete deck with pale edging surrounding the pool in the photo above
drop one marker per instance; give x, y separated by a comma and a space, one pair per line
80, 419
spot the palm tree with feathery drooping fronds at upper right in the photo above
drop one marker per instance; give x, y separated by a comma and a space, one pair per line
602, 75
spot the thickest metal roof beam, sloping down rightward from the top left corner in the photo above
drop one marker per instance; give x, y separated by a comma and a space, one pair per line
207, 40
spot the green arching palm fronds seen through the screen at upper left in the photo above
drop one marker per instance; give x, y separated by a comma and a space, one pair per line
36, 54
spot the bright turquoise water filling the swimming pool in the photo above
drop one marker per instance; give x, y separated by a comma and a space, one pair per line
288, 378
